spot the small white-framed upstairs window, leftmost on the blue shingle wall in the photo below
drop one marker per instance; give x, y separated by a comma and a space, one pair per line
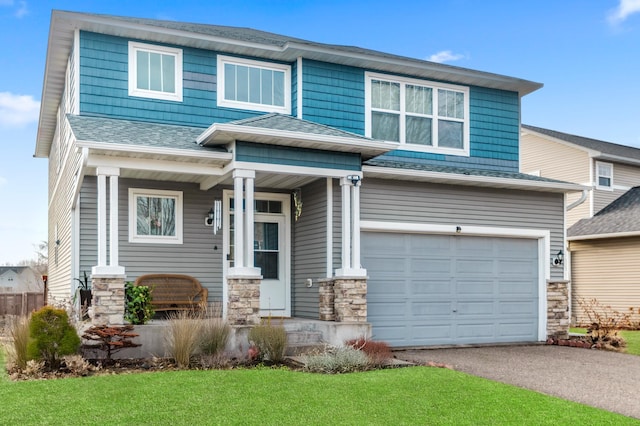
155, 71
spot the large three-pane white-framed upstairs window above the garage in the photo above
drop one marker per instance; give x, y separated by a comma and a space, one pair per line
420, 115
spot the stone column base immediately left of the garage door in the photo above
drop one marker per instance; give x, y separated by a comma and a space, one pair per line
350, 299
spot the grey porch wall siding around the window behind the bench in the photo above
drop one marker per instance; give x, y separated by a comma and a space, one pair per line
200, 255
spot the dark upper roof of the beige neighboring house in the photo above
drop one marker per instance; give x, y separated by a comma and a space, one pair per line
601, 149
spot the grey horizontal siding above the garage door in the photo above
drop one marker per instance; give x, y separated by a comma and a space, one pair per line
404, 201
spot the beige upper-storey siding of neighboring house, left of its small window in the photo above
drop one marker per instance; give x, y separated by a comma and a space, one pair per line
555, 160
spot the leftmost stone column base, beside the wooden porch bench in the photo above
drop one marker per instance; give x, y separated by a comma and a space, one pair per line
107, 293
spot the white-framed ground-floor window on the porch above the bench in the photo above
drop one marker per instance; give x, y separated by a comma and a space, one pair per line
155, 216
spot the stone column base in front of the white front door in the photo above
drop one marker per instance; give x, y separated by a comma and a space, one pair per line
243, 307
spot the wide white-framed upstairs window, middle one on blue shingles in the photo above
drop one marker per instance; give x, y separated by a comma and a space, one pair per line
254, 85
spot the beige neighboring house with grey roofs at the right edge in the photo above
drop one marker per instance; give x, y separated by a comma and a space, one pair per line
603, 230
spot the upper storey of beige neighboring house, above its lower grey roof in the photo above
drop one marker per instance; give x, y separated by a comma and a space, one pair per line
608, 169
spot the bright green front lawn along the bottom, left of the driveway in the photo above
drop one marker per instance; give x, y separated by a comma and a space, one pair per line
418, 395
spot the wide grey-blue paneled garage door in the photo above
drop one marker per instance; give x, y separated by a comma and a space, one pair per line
441, 289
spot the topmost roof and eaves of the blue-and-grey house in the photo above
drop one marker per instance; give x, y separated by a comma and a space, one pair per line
237, 41
